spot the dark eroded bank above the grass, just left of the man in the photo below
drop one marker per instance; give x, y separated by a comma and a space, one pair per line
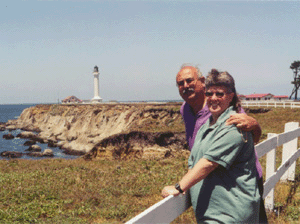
140, 145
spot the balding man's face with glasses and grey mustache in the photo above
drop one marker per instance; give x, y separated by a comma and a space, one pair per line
189, 86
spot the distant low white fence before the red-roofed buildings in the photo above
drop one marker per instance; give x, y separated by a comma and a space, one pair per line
270, 103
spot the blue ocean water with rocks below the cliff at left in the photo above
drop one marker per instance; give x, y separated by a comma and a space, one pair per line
9, 112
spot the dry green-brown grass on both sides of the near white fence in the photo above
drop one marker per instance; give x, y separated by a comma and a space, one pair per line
115, 190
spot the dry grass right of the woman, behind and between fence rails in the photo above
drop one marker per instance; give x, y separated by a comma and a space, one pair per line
287, 195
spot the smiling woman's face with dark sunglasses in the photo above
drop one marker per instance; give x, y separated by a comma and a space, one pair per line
218, 100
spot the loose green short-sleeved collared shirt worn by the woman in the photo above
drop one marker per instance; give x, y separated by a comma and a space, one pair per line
229, 194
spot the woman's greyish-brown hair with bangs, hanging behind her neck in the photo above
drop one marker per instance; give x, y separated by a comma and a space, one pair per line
216, 78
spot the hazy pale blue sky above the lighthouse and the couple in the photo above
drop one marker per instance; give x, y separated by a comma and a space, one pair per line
49, 48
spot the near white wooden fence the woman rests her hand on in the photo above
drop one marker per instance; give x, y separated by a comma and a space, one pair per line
171, 207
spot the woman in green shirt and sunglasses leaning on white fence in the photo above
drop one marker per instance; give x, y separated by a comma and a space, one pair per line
222, 173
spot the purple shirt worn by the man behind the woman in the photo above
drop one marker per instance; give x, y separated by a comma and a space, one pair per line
193, 123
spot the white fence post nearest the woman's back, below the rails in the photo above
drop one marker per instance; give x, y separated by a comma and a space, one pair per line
270, 170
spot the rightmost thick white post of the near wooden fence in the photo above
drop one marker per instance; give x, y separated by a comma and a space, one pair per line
288, 150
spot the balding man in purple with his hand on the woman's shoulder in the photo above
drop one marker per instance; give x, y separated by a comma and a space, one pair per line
195, 112
